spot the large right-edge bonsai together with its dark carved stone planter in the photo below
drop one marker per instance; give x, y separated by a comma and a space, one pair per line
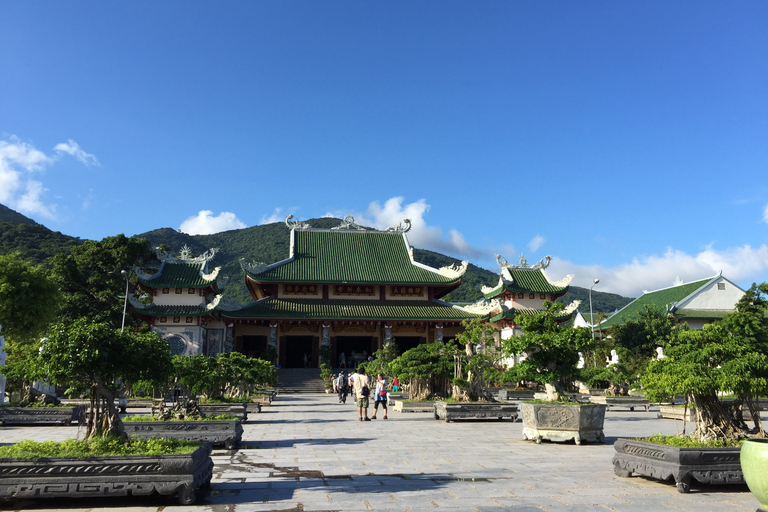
727, 356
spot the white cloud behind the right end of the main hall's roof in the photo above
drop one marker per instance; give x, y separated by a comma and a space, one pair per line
421, 234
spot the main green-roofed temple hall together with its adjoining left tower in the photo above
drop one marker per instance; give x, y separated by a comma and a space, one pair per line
342, 291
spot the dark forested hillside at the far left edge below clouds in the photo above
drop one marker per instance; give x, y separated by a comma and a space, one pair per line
33, 241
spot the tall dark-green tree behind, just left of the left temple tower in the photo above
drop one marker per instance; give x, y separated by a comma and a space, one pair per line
90, 278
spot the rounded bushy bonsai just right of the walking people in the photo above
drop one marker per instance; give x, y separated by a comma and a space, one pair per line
427, 369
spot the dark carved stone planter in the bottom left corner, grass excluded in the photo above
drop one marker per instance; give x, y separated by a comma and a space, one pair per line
182, 475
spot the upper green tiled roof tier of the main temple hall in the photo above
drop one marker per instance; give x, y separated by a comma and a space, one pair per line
366, 257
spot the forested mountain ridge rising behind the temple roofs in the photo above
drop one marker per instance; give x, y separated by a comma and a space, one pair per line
269, 243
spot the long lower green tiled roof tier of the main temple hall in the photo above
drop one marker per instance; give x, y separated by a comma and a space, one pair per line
350, 309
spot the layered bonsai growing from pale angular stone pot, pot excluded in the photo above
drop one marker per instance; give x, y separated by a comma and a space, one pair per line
551, 349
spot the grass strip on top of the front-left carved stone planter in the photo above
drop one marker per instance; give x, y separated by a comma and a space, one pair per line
96, 447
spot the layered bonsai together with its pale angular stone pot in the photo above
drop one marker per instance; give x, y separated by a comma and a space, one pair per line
551, 351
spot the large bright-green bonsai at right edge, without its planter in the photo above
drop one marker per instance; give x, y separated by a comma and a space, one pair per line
728, 356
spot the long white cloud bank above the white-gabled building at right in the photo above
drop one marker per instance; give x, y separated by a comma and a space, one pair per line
739, 264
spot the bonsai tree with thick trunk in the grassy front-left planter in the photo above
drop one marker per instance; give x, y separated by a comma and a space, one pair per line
88, 358
